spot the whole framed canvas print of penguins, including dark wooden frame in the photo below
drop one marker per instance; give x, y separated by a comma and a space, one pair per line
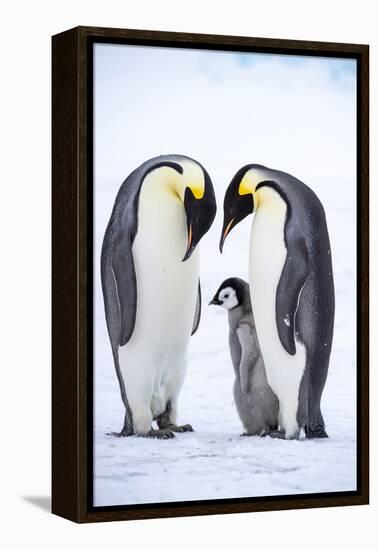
166, 148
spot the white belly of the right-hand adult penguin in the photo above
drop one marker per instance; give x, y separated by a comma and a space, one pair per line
267, 257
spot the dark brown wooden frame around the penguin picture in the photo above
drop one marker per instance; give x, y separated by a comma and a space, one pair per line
72, 281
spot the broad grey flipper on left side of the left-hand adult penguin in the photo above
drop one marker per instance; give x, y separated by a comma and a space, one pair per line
125, 279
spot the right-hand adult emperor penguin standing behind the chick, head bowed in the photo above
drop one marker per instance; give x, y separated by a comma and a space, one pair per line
292, 289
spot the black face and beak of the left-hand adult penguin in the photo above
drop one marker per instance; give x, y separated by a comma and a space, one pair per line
200, 214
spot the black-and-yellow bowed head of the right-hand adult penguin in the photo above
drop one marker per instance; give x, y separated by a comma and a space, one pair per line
240, 199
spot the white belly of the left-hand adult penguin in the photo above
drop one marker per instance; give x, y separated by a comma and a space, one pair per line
153, 362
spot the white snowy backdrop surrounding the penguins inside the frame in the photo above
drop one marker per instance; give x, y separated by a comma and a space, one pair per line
215, 462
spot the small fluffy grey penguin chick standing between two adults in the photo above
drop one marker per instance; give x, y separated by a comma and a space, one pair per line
255, 401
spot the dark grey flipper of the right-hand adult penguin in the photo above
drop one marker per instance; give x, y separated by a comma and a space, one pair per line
293, 277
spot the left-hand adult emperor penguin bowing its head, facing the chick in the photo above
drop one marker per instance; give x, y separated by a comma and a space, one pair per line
151, 288
